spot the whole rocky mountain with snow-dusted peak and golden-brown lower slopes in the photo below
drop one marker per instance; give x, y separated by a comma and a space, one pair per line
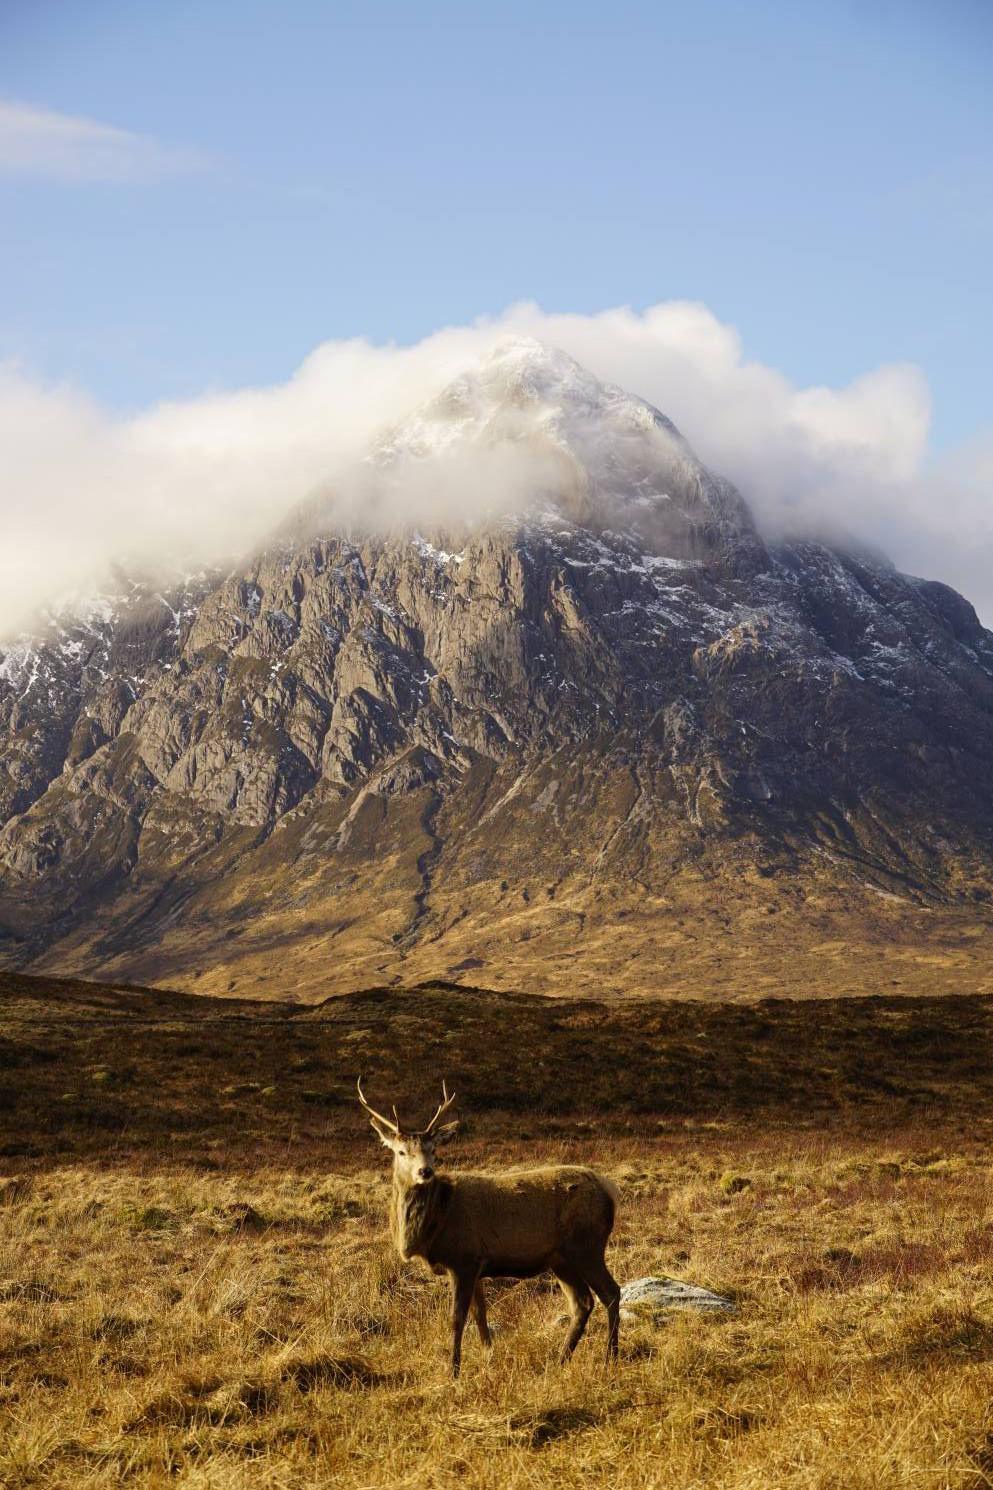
581, 732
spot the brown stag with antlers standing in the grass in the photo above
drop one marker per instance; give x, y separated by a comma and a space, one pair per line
511, 1226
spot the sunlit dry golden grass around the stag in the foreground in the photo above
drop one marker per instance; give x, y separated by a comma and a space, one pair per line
251, 1328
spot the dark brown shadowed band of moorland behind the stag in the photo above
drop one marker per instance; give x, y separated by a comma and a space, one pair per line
96, 1071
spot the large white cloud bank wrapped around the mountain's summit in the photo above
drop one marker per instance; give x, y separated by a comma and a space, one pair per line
198, 481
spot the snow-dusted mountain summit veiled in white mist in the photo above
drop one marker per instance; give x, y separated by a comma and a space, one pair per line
530, 419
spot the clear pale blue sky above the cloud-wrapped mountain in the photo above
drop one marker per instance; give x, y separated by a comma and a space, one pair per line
821, 175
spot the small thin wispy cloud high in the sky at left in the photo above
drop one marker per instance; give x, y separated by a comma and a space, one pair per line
66, 148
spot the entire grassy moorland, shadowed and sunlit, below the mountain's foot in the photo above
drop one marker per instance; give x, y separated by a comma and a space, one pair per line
196, 1288
